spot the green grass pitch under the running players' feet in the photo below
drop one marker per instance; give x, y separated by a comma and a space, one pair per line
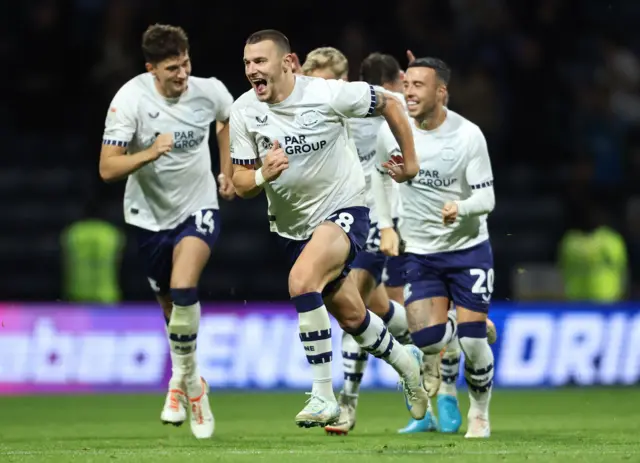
569, 425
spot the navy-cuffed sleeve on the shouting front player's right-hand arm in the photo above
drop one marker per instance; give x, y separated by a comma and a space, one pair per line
352, 99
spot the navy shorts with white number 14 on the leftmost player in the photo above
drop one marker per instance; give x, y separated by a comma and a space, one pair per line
156, 248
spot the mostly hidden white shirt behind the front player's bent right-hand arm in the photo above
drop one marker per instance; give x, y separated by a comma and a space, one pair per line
365, 133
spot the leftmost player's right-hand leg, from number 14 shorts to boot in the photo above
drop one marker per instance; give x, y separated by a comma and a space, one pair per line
190, 255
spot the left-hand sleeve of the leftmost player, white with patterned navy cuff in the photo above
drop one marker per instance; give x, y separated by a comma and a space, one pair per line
120, 124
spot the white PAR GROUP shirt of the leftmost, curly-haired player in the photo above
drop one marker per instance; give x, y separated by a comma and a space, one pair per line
163, 193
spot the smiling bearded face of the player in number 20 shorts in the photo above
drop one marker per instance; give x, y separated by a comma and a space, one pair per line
423, 91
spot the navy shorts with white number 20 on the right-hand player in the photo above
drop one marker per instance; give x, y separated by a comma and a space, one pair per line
466, 277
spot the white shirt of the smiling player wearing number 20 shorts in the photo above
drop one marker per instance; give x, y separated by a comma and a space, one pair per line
454, 161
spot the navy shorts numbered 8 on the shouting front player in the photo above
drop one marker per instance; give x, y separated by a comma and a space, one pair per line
355, 223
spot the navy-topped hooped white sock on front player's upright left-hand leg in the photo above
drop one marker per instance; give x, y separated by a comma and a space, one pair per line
315, 334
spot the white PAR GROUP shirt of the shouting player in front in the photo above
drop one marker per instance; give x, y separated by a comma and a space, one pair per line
324, 173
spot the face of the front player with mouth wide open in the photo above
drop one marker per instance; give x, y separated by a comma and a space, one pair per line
266, 66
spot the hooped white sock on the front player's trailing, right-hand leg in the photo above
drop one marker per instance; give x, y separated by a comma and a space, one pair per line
374, 338
